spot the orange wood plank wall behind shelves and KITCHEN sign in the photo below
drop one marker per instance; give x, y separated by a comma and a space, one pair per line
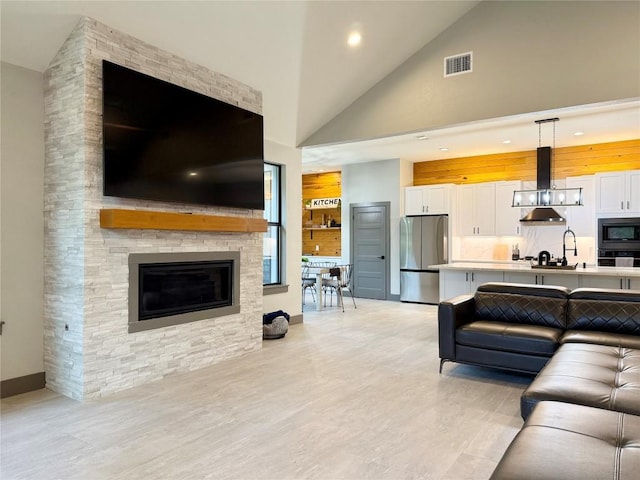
321, 185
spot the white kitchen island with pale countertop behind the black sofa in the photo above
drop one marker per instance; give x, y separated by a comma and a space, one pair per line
464, 277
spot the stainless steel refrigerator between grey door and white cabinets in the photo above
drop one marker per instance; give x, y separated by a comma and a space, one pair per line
423, 242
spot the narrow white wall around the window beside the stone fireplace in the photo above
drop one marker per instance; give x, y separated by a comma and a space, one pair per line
289, 158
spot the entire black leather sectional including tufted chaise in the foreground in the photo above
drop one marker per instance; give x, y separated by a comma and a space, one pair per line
582, 410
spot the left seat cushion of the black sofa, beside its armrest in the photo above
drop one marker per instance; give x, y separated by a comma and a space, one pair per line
510, 337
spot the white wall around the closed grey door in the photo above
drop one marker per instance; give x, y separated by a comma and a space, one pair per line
375, 182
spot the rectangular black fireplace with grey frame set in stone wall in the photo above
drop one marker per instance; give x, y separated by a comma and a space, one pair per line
174, 288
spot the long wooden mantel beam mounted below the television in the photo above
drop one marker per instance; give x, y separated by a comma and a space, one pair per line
154, 220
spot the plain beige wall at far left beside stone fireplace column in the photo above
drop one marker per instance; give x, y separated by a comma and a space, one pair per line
22, 132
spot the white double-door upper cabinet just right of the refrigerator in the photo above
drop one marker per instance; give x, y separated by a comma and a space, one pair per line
477, 209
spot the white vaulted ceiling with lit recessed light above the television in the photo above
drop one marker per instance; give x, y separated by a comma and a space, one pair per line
295, 52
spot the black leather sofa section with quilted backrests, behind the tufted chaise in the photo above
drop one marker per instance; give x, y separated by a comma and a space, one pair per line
519, 327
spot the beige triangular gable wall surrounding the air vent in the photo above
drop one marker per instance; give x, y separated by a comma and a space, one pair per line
528, 56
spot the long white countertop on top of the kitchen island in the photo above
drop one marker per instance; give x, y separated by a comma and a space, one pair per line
525, 266
